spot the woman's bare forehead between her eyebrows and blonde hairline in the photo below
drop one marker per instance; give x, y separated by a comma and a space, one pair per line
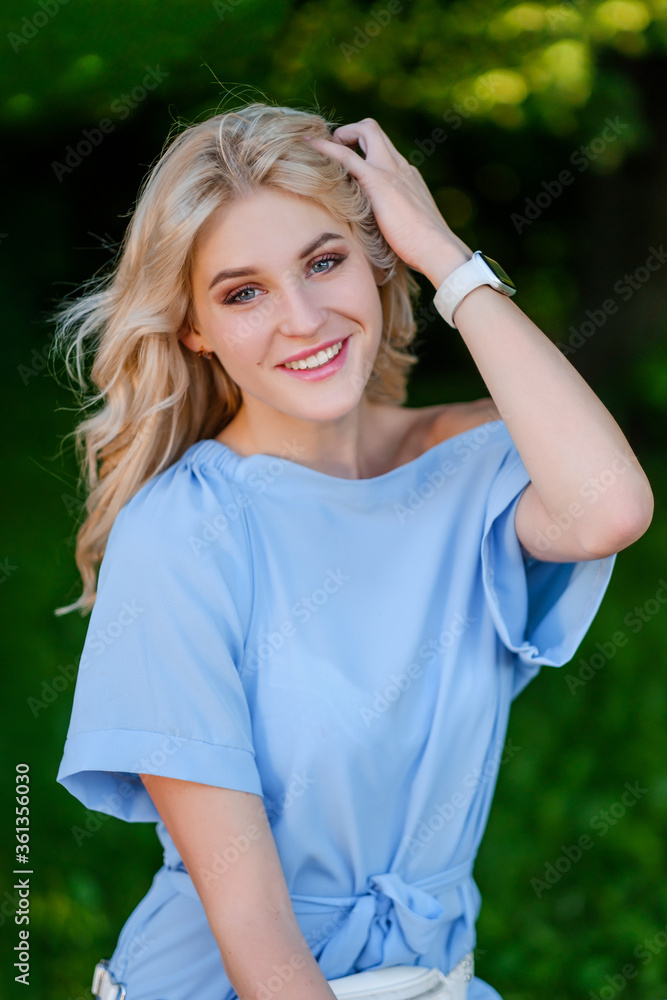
268, 220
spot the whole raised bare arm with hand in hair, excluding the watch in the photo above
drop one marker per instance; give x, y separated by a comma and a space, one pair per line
583, 474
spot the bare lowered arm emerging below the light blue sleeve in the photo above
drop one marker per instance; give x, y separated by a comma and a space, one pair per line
247, 902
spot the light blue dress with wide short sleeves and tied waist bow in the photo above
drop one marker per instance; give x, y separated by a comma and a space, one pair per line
349, 650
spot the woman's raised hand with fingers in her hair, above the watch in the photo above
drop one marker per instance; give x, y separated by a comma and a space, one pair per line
404, 209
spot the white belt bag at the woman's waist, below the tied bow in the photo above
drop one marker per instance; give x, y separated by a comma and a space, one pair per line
406, 982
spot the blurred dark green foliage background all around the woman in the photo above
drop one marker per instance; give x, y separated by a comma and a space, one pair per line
555, 74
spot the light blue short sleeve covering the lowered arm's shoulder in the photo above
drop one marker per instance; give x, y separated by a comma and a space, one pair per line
158, 687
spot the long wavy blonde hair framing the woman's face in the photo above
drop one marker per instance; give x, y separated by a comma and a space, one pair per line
157, 396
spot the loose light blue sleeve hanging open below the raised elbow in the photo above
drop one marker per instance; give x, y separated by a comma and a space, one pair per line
541, 610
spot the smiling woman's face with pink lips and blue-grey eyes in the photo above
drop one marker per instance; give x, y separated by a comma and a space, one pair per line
277, 276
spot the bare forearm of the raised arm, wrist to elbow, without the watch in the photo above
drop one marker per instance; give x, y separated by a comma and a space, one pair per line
572, 447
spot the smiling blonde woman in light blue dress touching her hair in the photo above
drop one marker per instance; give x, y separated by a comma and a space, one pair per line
316, 605
